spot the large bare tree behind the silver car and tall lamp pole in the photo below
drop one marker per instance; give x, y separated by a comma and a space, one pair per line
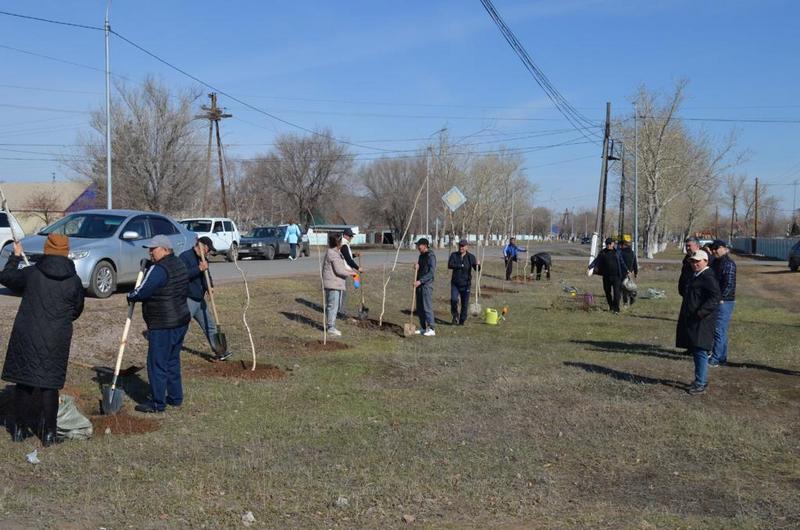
156, 146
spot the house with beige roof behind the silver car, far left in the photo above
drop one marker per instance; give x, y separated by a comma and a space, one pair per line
38, 204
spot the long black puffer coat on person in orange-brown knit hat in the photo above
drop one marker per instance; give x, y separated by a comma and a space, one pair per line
52, 298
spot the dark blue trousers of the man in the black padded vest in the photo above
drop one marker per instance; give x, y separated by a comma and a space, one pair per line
164, 366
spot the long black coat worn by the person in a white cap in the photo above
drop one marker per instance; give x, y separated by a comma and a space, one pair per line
697, 319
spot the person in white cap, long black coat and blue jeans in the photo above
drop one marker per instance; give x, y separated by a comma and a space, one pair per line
698, 318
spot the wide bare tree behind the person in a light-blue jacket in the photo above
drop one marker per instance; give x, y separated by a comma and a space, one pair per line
304, 171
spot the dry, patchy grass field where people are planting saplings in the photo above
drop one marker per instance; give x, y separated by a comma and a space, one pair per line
556, 418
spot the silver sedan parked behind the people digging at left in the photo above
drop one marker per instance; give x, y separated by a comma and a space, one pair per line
107, 245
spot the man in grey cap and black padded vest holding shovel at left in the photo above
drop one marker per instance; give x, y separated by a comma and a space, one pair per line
163, 296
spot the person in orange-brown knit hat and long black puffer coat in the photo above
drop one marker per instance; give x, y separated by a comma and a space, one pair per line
38, 350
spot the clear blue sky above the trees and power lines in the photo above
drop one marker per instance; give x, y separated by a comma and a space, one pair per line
385, 74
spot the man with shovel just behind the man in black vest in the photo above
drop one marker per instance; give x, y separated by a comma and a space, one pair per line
196, 264
